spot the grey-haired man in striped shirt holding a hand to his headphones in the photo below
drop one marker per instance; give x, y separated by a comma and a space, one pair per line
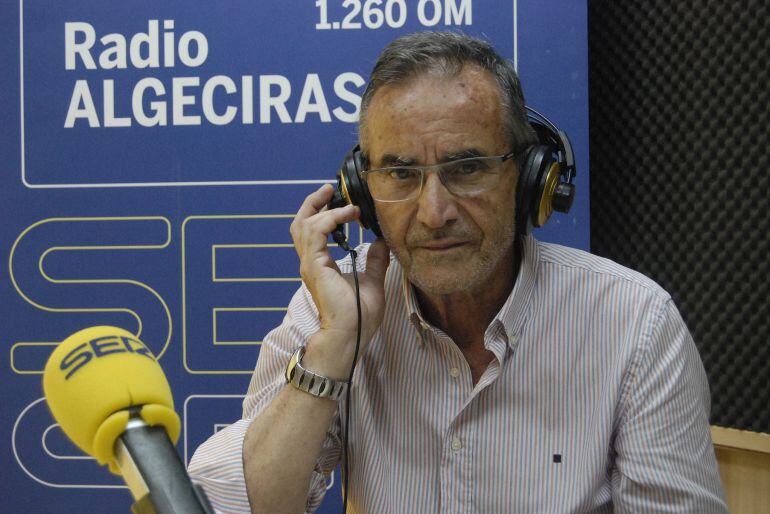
496, 373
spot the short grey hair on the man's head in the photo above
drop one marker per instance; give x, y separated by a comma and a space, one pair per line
446, 53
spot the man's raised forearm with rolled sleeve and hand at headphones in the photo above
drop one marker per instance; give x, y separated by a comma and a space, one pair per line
290, 437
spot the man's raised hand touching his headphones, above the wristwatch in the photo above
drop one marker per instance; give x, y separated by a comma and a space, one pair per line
330, 351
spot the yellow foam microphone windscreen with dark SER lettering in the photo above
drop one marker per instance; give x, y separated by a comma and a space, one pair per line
97, 372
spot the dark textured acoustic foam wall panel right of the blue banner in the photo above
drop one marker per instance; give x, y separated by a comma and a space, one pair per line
680, 147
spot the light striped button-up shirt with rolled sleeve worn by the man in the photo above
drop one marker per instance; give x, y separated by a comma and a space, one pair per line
596, 401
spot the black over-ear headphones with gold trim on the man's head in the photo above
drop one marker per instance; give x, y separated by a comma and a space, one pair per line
546, 172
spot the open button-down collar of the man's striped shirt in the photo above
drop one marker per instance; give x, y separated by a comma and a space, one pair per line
516, 307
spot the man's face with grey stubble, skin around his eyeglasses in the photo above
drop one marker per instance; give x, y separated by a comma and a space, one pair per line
445, 243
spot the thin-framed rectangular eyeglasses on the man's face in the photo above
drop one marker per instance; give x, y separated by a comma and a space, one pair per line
462, 177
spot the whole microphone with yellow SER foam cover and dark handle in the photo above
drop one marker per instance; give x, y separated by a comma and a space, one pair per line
111, 398
